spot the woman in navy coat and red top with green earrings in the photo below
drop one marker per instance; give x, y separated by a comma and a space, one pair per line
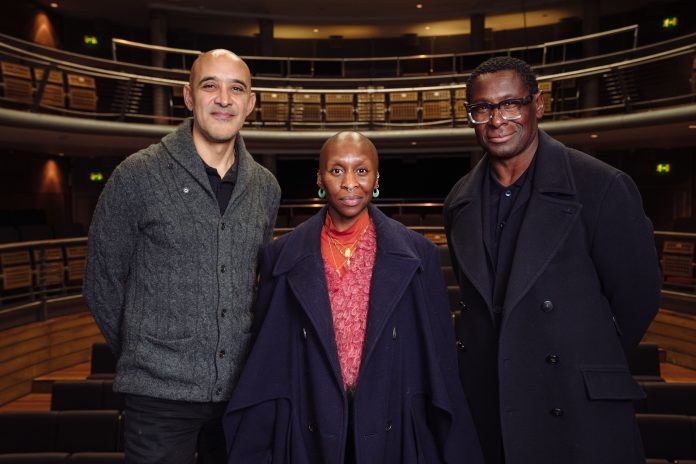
327, 383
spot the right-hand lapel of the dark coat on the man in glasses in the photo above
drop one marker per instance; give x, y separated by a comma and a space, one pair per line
552, 210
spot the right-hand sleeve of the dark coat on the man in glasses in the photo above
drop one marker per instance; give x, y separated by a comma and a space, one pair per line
623, 250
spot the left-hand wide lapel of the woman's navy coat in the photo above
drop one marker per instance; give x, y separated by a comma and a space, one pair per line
302, 262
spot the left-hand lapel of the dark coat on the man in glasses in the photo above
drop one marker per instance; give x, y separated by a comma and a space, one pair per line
466, 235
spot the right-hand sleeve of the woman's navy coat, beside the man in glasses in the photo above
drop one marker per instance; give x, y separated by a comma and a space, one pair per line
461, 445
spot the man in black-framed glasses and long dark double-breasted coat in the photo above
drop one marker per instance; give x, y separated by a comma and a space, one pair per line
559, 279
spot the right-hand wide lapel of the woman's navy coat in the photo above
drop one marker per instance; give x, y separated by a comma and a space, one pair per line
395, 264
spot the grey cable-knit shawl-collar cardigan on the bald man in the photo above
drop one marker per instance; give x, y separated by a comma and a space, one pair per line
170, 280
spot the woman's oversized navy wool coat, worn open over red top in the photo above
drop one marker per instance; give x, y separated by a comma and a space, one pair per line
290, 405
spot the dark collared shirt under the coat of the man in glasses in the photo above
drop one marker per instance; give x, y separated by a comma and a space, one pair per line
503, 216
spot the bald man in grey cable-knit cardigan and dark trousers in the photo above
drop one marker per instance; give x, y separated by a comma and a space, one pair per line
171, 269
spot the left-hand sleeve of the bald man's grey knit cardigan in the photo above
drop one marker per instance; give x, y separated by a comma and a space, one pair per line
111, 243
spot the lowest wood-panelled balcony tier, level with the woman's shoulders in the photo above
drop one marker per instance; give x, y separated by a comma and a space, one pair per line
38, 278
